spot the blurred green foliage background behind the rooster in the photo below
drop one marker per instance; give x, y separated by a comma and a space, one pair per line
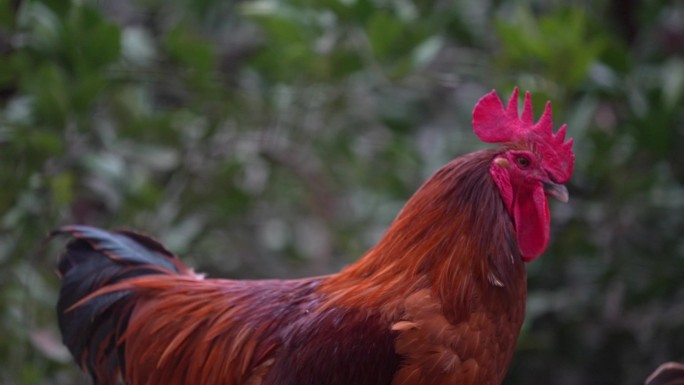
280, 138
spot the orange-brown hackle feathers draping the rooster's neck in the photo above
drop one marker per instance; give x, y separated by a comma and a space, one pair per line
453, 236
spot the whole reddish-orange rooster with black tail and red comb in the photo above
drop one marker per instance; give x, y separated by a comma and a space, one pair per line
439, 300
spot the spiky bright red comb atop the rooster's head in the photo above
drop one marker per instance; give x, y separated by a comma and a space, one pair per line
493, 124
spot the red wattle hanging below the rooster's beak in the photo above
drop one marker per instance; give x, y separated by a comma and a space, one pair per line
532, 222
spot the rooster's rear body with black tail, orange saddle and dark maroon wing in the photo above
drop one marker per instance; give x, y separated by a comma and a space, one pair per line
129, 308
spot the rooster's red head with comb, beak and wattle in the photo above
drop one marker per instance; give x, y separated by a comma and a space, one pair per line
534, 163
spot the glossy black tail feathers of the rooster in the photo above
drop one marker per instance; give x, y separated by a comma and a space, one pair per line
92, 260
